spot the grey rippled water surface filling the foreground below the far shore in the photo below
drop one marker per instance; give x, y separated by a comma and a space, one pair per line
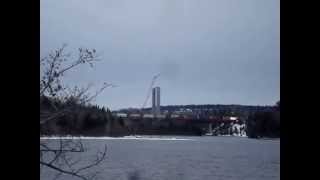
194, 158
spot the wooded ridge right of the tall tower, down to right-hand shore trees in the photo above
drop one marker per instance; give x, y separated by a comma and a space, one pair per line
261, 121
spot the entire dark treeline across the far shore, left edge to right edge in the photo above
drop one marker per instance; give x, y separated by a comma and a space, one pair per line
92, 120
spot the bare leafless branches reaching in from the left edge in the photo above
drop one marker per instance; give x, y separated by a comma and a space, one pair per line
60, 157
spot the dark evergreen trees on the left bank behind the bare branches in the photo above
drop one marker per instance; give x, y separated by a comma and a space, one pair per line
79, 120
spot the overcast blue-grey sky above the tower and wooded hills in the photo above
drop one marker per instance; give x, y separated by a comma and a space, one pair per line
207, 51
